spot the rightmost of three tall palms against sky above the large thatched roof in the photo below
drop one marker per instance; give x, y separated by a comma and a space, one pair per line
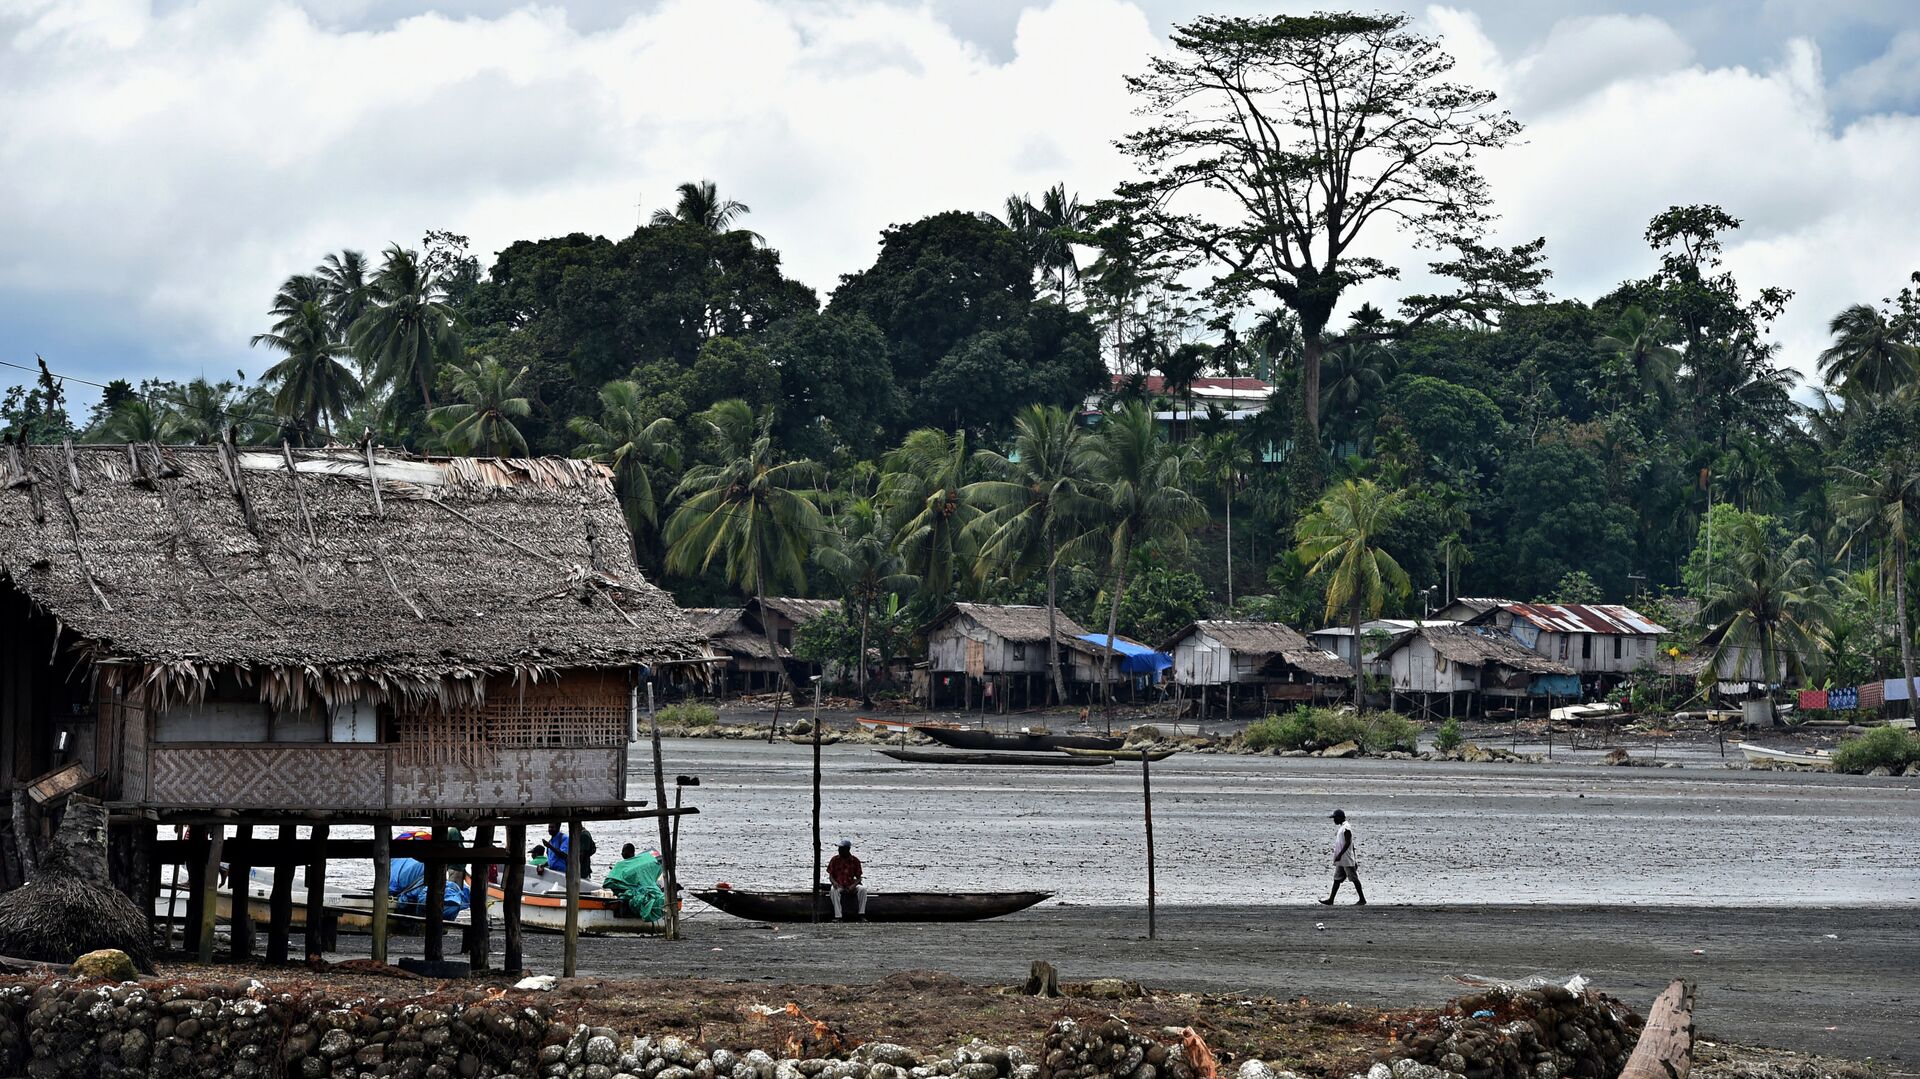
408, 329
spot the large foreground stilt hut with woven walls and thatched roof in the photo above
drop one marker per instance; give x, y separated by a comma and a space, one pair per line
235, 638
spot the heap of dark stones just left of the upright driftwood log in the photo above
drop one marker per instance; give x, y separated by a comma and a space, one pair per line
1520, 1034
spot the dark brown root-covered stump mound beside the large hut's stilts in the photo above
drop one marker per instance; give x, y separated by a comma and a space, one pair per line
70, 907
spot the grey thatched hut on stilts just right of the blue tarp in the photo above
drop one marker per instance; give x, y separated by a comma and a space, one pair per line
1274, 661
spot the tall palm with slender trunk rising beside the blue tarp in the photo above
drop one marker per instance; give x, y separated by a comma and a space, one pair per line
1143, 500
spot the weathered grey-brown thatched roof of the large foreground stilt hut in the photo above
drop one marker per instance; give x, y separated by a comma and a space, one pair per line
345, 573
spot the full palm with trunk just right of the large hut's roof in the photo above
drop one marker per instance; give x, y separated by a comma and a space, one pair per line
748, 510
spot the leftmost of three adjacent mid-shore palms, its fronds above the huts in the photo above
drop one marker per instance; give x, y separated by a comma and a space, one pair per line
924, 492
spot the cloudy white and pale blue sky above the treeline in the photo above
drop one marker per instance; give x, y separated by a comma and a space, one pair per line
164, 164
